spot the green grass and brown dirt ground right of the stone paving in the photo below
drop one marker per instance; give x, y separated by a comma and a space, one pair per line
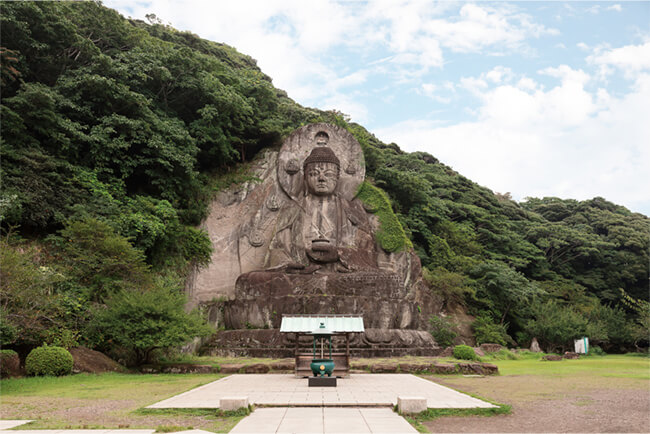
592, 394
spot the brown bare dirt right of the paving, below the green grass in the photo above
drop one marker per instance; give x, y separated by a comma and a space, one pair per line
542, 404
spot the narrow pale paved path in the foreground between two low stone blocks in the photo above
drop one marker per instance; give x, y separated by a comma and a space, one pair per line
323, 420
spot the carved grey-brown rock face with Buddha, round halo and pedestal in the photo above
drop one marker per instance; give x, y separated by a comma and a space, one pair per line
300, 242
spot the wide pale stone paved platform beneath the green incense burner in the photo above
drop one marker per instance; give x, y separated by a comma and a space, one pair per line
356, 391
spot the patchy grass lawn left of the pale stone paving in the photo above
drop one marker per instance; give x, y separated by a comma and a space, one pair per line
107, 401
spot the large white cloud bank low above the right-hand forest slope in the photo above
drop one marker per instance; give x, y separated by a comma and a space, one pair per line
563, 142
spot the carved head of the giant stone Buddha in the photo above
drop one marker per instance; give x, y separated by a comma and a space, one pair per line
321, 170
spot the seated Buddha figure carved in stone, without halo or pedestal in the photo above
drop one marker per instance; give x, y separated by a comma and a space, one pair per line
321, 231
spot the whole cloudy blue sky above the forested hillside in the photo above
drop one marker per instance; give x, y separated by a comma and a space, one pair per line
531, 98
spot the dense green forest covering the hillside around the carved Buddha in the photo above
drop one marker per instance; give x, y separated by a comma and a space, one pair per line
117, 133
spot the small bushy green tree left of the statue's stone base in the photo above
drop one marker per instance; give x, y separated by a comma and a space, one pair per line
143, 321
